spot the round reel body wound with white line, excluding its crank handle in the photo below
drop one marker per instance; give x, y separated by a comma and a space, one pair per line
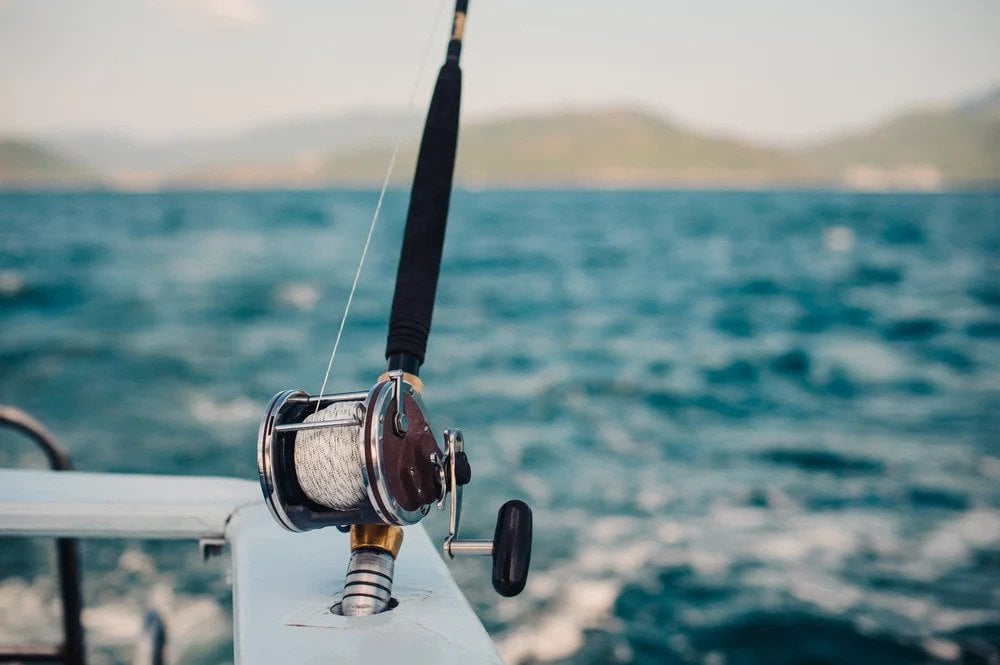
359, 458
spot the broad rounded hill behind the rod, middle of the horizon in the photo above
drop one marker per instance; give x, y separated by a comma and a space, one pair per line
602, 148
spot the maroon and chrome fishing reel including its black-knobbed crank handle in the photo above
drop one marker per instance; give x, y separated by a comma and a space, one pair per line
371, 458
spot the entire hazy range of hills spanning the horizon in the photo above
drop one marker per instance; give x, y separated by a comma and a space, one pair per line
924, 149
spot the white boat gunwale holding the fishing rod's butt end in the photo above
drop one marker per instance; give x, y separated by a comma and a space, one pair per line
284, 584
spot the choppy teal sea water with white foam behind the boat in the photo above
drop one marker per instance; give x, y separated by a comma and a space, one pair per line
754, 427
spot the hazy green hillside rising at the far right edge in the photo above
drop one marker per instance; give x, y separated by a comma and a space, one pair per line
952, 147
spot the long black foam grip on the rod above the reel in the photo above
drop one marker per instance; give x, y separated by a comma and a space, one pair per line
423, 239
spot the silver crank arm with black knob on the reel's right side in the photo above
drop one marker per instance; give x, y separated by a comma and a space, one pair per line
511, 544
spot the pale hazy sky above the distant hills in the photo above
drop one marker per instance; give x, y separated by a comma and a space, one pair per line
781, 71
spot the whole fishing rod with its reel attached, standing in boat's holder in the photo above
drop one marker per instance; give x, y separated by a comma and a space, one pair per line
369, 461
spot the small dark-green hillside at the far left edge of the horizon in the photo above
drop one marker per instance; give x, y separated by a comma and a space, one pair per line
24, 164
